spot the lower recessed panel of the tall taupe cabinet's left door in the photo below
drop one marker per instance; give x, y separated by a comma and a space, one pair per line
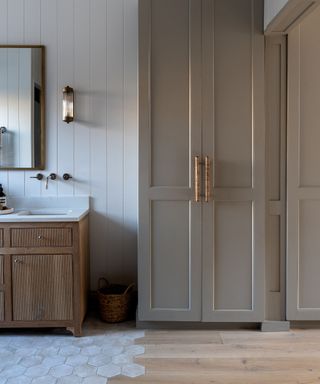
170, 254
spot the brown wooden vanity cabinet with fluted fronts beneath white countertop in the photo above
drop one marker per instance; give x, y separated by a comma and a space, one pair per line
44, 274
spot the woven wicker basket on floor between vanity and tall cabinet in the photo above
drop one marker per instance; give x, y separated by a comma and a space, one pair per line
114, 301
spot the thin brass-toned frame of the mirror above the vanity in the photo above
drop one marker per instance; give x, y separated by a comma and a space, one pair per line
43, 110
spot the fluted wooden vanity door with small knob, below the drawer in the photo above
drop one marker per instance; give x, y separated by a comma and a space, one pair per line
42, 287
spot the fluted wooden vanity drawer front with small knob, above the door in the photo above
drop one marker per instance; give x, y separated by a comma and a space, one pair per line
40, 237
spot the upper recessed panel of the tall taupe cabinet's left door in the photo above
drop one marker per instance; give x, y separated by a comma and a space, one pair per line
170, 133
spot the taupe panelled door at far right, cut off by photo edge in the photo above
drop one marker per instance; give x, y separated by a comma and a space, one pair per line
303, 176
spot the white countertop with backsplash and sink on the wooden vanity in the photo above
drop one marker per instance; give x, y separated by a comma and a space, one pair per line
46, 209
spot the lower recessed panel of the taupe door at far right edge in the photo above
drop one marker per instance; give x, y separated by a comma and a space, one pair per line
309, 260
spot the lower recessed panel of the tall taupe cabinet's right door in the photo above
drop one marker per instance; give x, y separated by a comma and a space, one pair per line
233, 256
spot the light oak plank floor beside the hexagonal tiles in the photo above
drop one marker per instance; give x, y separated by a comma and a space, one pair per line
228, 357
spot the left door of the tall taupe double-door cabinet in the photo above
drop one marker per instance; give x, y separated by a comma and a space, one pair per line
170, 137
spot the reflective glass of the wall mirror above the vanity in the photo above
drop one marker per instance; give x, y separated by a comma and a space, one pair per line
21, 107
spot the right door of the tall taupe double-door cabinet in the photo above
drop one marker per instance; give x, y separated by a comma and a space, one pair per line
234, 138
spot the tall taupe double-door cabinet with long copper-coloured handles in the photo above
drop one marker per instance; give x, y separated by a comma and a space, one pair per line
201, 95
